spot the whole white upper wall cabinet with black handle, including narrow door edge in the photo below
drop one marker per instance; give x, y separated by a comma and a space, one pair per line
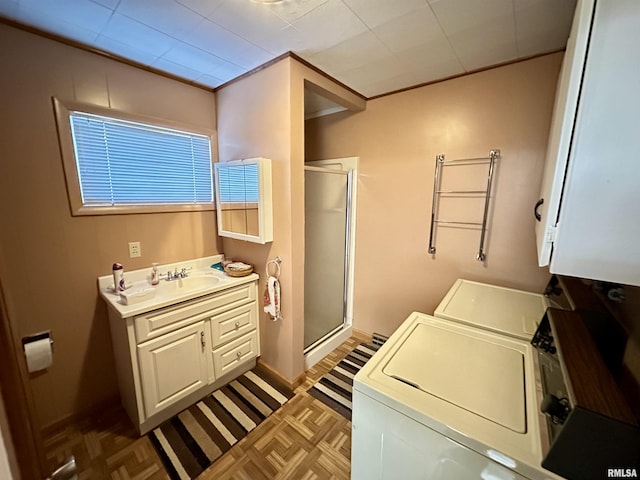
588, 222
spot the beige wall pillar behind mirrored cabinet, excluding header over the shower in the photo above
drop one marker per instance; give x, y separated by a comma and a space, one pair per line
254, 121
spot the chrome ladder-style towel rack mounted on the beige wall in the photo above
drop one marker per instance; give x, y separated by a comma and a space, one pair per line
437, 192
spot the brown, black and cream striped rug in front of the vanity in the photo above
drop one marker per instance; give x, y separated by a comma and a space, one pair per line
194, 439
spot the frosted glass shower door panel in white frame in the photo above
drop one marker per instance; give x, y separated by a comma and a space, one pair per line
327, 199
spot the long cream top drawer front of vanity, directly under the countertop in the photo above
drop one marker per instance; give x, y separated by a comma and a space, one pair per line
164, 320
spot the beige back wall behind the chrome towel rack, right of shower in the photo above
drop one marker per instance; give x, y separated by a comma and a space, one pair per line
397, 139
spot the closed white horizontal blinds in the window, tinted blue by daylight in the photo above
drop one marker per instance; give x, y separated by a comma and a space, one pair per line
128, 163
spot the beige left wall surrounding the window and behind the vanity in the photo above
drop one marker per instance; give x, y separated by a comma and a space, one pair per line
50, 260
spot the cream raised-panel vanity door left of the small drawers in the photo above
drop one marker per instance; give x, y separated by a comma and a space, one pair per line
173, 366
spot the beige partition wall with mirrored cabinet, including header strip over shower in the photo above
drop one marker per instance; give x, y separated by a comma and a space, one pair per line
263, 115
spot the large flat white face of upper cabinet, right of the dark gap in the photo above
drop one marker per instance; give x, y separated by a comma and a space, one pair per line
599, 225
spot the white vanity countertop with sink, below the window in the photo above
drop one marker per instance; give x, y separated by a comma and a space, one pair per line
167, 292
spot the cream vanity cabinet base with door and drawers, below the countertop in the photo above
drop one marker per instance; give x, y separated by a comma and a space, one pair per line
170, 357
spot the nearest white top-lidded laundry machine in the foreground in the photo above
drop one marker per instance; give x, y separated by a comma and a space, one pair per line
443, 400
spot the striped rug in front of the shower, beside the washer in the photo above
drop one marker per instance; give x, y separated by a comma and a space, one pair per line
334, 389
